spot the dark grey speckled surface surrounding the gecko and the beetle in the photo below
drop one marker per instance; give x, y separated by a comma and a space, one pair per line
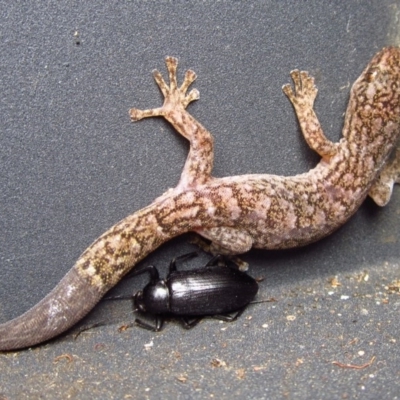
72, 164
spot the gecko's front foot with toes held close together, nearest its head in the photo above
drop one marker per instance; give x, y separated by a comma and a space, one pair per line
305, 90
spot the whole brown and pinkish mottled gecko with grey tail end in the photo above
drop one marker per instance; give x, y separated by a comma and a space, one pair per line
239, 212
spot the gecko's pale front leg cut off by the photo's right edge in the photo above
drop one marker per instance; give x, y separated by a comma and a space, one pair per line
382, 188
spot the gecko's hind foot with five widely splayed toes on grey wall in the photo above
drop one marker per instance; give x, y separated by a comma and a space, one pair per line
175, 97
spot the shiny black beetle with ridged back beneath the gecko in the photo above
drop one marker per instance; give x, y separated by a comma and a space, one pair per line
208, 291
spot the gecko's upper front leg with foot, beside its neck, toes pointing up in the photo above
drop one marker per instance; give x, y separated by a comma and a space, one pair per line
302, 99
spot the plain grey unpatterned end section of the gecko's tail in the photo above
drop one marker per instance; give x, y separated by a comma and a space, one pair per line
65, 305
